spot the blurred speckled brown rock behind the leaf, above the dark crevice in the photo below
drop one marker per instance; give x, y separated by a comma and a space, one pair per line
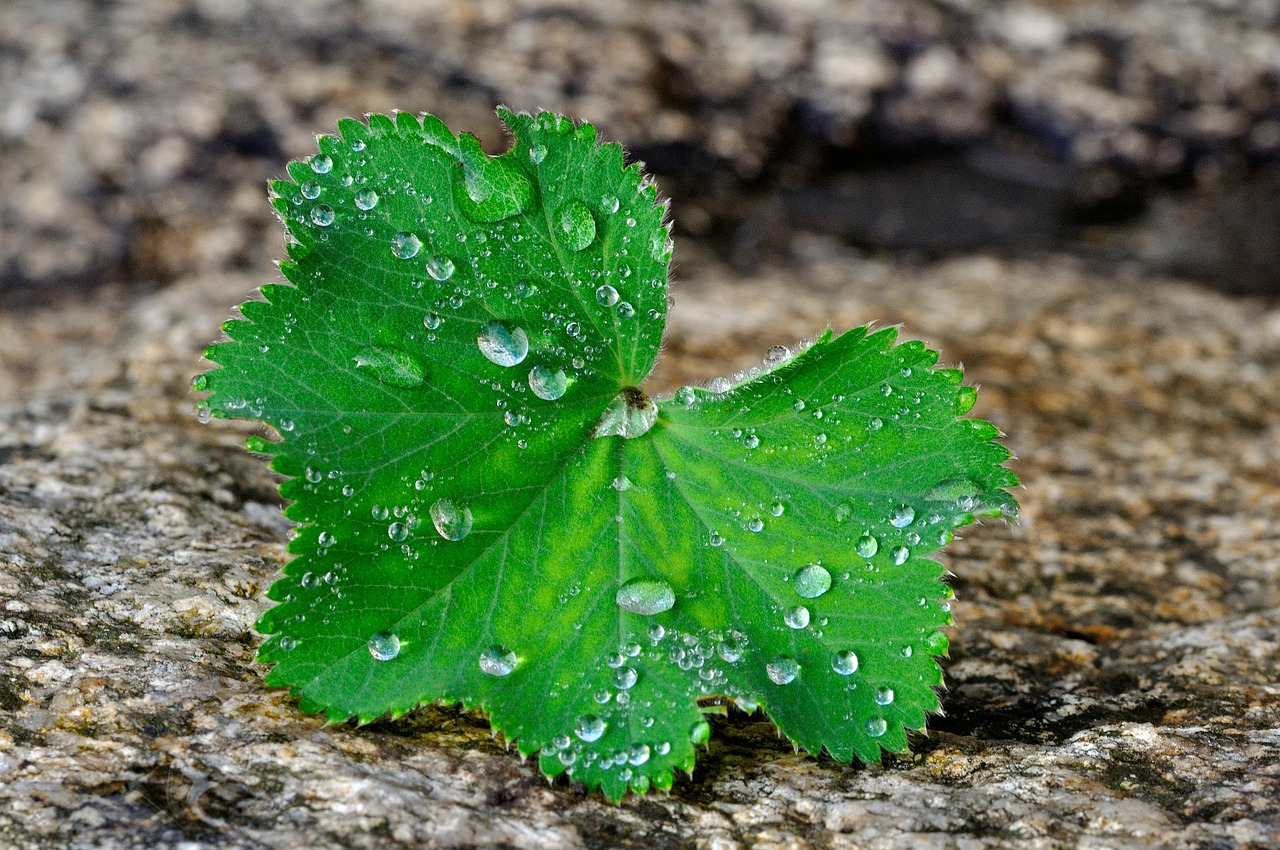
135, 136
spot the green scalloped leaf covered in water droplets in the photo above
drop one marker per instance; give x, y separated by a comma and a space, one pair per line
493, 511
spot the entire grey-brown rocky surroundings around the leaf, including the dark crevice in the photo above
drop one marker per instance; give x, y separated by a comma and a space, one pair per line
1077, 199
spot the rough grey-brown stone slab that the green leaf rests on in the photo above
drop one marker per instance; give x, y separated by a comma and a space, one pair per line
1113, 680
